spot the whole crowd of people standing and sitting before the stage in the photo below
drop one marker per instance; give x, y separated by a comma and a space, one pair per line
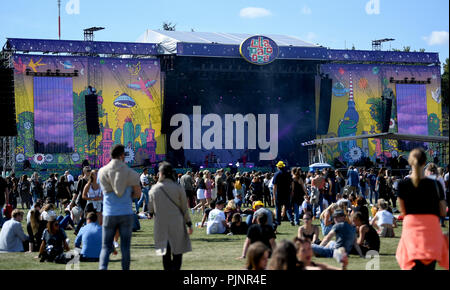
354, 207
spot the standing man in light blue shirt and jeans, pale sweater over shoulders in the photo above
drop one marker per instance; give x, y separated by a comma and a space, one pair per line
119, 184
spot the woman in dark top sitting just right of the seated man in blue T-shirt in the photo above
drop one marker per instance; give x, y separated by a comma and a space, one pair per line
368, 239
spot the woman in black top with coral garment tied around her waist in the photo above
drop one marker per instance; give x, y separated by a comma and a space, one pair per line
422, 203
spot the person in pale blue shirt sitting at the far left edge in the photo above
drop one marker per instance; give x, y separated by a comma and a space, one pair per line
12, 237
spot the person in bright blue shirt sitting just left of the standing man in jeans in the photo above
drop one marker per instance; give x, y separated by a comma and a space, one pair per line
90, 239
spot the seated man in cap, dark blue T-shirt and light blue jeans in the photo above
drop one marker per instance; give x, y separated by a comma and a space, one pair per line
345, 237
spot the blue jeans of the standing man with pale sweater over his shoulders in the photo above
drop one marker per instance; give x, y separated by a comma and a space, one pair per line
123, 223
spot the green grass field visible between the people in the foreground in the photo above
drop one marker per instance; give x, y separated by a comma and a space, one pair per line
209, 252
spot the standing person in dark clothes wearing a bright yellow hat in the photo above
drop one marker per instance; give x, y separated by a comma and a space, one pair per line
282, 191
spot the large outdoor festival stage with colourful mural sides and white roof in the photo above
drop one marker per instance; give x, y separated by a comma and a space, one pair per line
202, 99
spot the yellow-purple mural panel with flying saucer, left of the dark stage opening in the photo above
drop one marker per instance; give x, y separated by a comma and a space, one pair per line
129, 102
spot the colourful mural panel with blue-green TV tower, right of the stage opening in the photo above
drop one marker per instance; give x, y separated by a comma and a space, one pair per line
357, 107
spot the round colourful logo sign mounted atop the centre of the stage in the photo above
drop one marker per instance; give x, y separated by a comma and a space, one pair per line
259, 50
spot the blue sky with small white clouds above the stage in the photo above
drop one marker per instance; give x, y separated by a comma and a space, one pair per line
332, 23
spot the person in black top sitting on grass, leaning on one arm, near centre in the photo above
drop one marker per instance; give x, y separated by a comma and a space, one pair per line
260, 232
